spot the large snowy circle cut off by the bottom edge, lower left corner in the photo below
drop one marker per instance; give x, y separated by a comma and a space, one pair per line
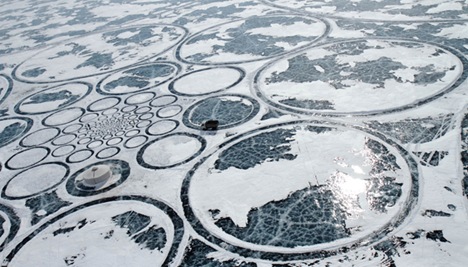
147, 228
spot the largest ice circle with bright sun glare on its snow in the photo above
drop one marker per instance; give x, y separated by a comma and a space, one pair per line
300, 189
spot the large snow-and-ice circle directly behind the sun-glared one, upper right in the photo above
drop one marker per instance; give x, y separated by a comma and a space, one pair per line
360, 77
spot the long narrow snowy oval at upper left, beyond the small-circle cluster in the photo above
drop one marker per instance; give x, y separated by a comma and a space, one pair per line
99, 53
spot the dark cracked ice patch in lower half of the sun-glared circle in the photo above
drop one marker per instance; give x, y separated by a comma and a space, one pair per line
307, 217
